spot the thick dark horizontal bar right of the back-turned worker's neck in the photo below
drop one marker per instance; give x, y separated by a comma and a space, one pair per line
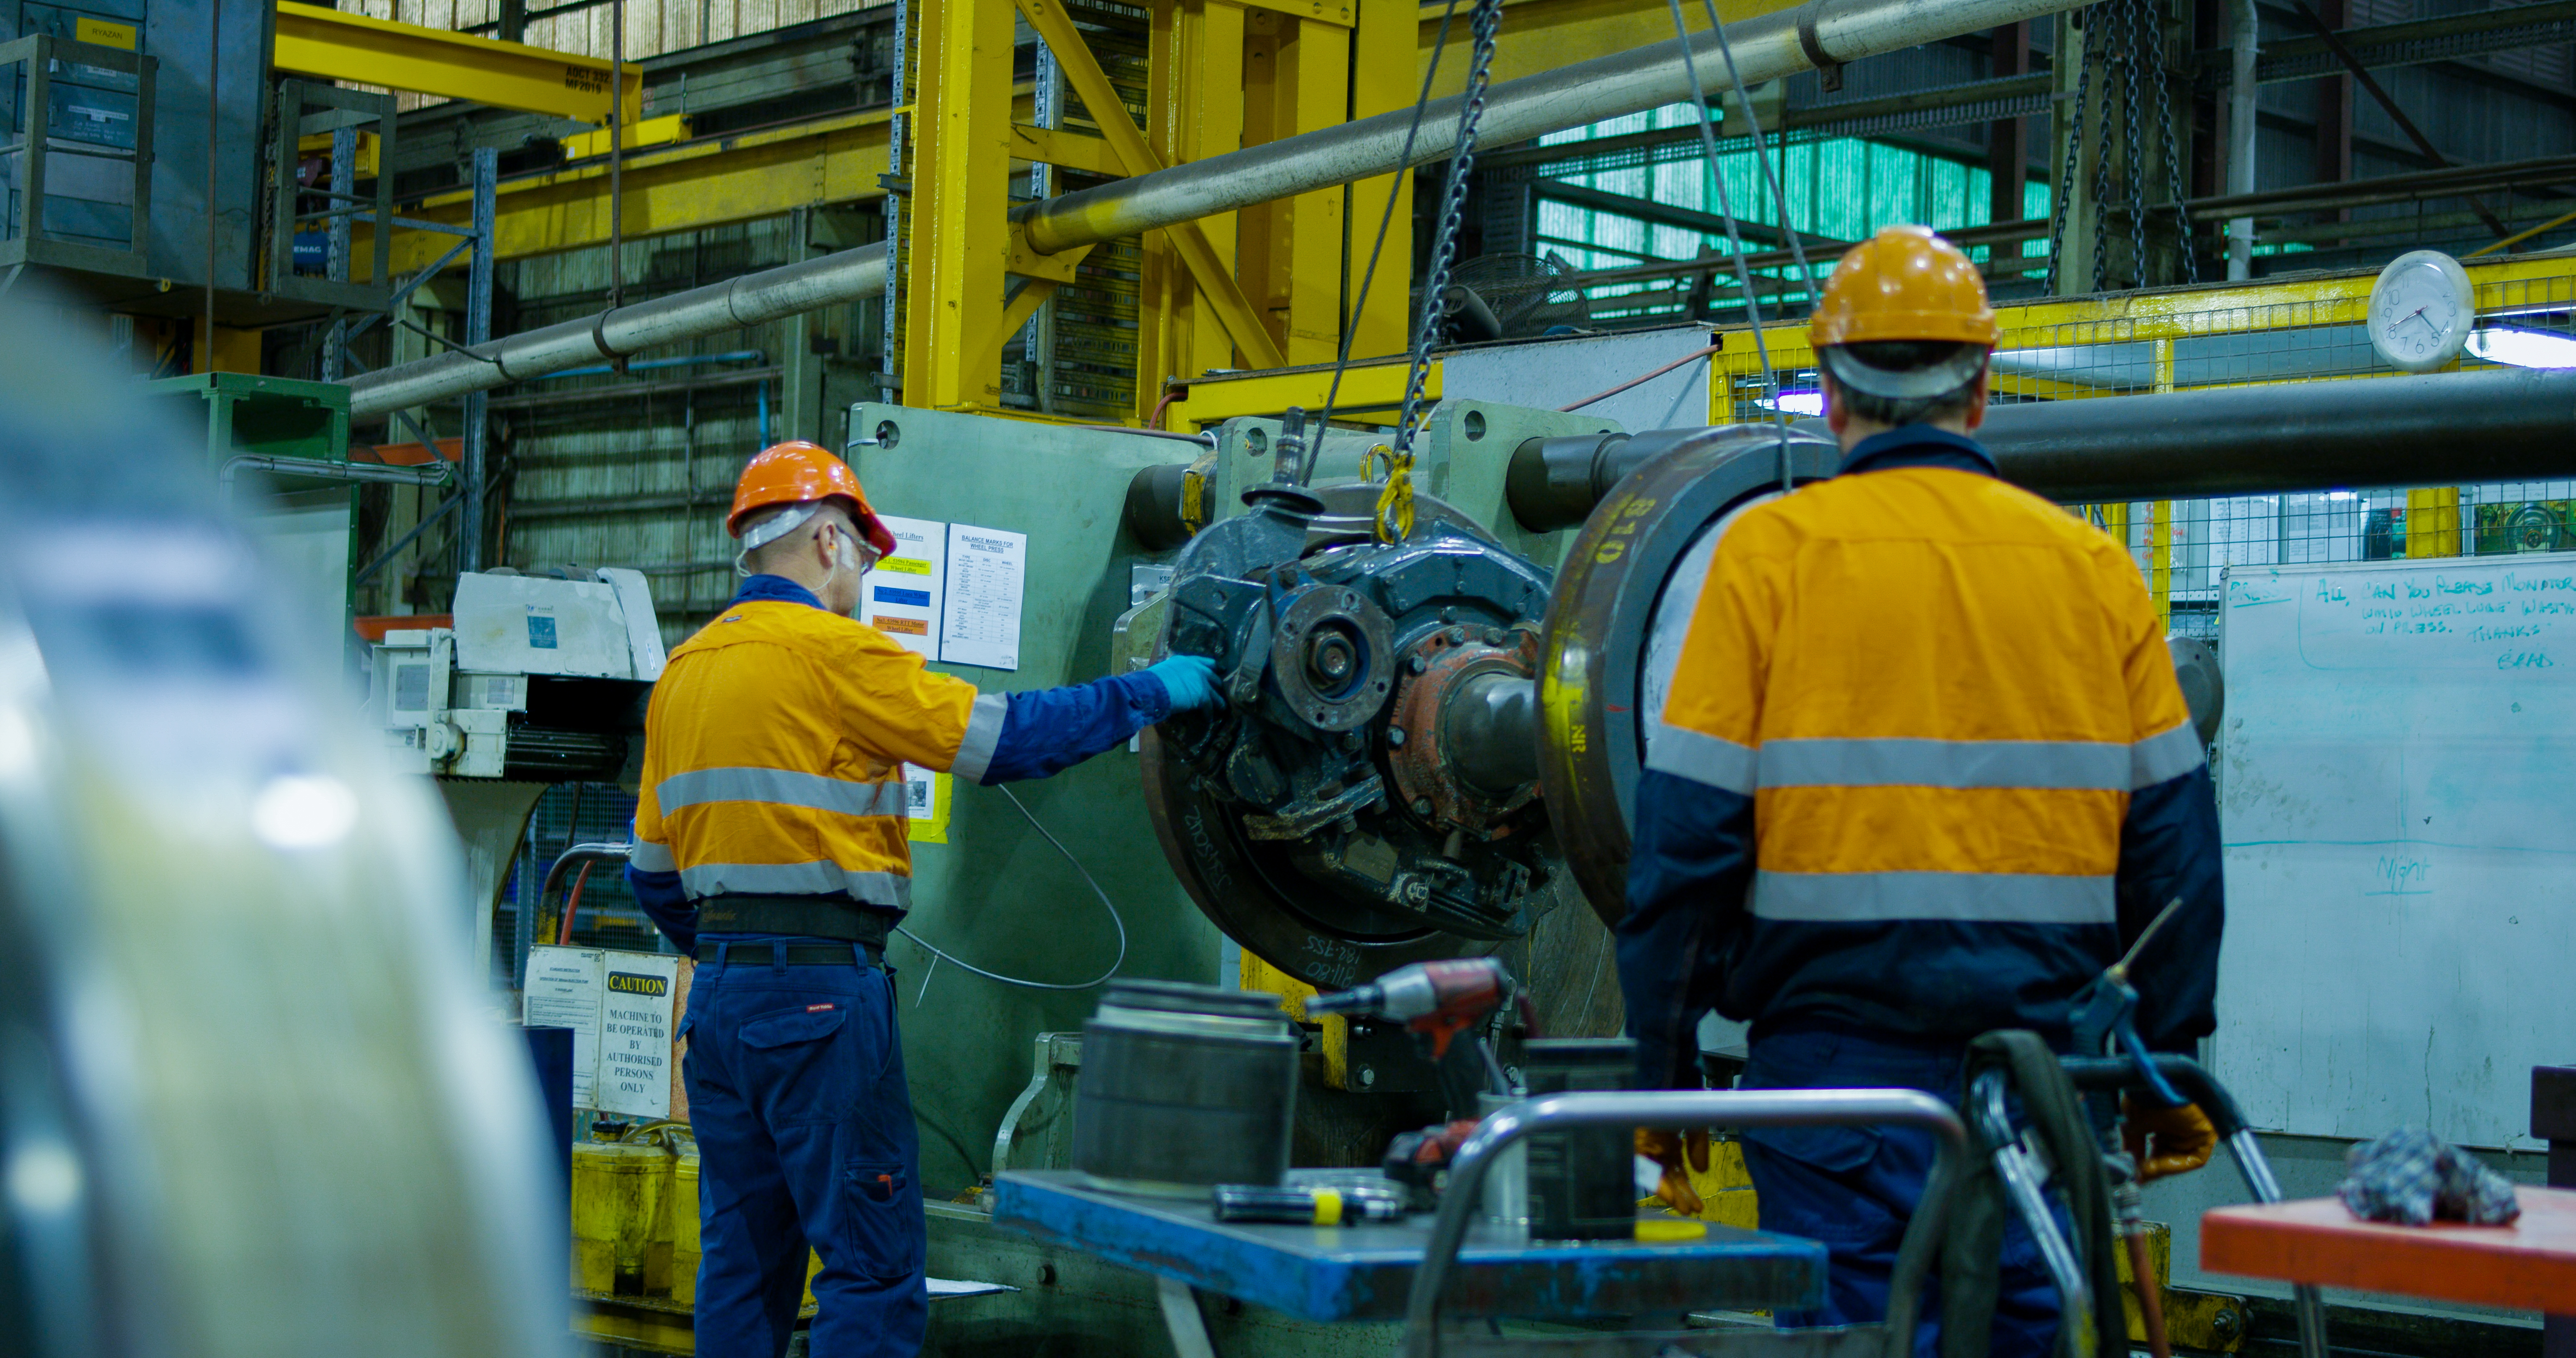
2482, 426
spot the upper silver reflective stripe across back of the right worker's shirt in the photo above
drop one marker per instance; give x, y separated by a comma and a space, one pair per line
1946, 764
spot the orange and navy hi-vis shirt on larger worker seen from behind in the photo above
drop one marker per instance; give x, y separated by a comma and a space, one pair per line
1923, 772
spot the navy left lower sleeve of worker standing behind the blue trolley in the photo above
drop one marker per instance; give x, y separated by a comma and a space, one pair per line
1686, 901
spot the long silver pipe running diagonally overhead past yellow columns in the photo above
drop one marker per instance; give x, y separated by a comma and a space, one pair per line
1519, 110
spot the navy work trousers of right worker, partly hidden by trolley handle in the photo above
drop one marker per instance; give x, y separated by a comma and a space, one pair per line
1856, 1187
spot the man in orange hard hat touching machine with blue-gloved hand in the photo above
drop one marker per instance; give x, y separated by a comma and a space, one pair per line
772, 844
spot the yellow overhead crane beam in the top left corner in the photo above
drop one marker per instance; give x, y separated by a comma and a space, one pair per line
362, 50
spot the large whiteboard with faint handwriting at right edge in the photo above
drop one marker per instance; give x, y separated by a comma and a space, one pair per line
2400, 816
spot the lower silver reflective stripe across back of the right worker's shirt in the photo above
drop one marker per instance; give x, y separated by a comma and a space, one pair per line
1982, 898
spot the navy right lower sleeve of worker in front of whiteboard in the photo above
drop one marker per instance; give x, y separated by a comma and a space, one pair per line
2170, 852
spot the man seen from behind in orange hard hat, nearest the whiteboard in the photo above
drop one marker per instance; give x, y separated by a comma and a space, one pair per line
1923, 774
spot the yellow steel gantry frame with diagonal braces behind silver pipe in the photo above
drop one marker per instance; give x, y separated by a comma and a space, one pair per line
1264, 287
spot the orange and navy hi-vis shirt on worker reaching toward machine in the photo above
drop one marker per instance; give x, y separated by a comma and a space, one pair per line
777, 738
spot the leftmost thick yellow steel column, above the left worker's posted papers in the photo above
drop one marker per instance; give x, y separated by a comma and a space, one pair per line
960, 205
